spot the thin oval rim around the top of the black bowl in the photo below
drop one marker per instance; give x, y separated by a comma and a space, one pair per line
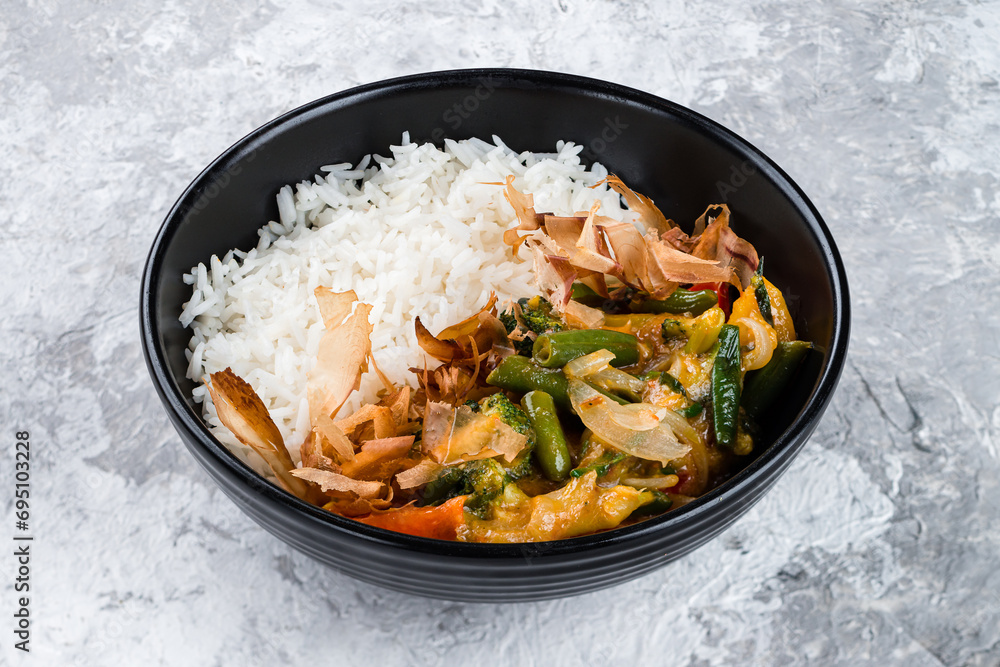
771, 461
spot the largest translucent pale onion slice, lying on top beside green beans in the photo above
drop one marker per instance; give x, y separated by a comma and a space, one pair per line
602, 416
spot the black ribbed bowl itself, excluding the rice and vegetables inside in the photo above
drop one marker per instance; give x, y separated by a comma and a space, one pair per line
679, 158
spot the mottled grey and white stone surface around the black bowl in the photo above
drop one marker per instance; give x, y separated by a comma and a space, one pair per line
881, 545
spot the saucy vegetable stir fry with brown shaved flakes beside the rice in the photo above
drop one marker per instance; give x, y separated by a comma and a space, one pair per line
629, 386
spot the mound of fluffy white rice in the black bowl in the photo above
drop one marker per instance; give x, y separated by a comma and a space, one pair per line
415, 234
